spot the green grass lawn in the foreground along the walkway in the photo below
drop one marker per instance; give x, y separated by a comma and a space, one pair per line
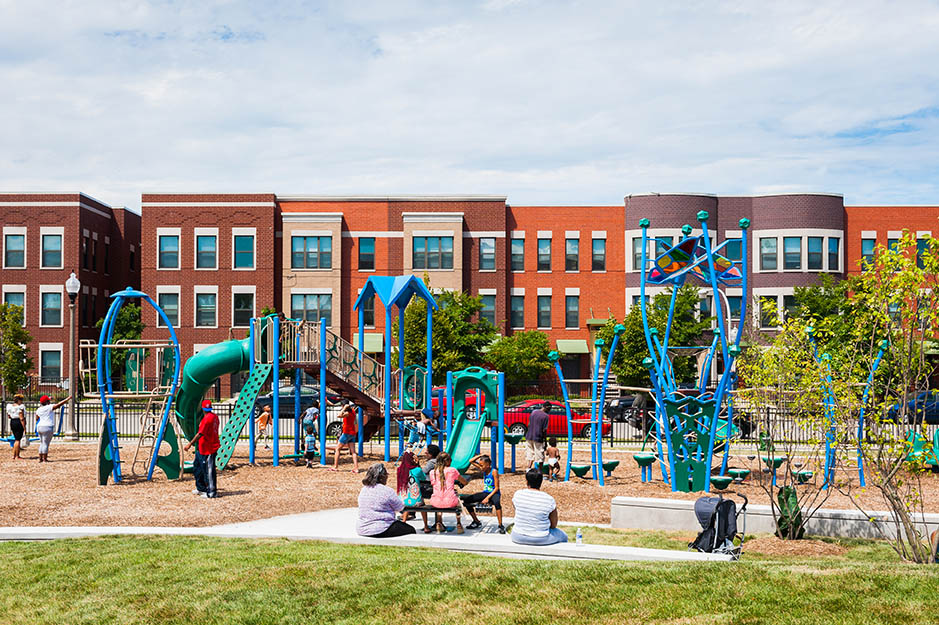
210, 580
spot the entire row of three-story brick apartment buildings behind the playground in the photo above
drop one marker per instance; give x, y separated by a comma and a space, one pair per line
212, 261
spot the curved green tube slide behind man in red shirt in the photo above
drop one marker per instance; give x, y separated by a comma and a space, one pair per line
200, 372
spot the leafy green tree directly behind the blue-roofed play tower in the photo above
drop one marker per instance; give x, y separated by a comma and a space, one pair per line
459, 335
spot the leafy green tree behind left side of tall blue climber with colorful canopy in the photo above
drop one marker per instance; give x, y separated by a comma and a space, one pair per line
687, 329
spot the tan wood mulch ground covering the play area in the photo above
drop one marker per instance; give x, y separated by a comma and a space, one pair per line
64, 491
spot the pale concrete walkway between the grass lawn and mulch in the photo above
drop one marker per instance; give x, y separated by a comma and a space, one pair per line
338, 526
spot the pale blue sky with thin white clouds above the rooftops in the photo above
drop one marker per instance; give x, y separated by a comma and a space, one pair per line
544, 102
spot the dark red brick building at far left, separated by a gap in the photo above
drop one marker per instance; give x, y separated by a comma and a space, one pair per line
45, 238
